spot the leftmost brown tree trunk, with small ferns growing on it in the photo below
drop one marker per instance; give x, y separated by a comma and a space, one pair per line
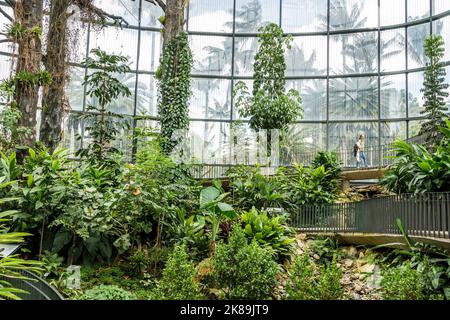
29, 14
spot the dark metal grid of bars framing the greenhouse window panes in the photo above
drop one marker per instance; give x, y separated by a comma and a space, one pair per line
233, 77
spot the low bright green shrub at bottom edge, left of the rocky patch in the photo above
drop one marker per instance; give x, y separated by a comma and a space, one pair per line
309, 283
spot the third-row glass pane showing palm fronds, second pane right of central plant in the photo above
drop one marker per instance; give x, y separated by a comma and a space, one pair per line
354, 98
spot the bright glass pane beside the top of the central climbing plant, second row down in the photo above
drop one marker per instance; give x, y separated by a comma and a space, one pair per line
308, 56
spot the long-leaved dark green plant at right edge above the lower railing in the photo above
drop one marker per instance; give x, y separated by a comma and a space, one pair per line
416, 170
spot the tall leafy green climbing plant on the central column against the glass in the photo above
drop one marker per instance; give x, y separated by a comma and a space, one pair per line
269, 107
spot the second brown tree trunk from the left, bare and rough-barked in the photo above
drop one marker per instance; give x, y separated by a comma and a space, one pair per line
54, 99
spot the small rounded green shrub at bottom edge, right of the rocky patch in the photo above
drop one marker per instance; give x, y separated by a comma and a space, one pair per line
403, 283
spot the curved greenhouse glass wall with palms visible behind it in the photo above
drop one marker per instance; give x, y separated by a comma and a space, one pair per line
358, 65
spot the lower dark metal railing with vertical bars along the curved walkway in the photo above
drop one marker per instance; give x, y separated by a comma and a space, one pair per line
426, 215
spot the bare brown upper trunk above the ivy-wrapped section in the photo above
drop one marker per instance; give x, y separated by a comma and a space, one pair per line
174, 19
